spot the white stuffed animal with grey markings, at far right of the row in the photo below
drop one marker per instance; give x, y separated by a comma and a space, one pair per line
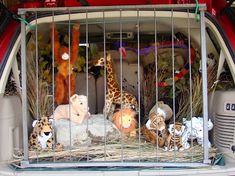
194, 130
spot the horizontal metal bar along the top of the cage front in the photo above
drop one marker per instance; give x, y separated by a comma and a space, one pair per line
114, 8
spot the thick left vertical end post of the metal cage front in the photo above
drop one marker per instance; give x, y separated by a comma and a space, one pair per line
24, 92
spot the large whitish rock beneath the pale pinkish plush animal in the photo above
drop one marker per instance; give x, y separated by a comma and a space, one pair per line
95, 129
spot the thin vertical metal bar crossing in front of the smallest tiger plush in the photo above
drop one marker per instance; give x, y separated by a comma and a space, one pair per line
173, 72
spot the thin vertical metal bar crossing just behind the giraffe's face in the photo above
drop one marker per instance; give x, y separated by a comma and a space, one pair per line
105, 86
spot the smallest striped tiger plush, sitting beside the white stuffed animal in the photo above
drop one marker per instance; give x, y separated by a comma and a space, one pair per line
174, 139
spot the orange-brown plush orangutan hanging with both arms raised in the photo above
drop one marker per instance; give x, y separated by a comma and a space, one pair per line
65, 61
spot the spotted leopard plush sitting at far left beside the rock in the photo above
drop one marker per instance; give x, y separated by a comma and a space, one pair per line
41, 137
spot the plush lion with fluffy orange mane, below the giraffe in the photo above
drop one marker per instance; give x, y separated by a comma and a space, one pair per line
125, 121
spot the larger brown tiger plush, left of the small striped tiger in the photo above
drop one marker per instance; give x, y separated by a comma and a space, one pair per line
155, 130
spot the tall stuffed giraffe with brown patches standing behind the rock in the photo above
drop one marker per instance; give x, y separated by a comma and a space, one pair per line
114, 95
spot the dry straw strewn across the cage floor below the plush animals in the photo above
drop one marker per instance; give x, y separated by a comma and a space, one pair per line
117, 151
